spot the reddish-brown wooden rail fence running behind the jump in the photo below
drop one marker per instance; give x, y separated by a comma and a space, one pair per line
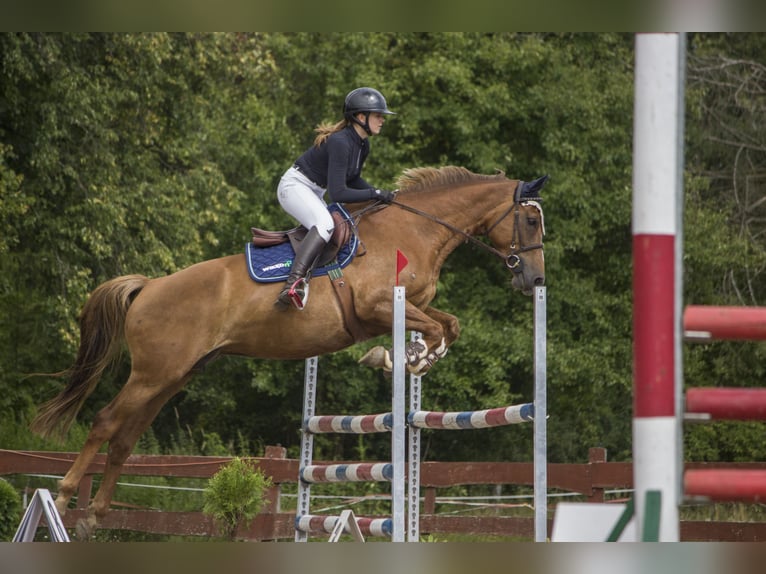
589, 479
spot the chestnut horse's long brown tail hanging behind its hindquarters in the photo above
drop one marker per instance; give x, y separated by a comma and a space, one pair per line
102, 331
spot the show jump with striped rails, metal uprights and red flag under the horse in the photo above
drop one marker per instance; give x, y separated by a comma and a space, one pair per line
396, 421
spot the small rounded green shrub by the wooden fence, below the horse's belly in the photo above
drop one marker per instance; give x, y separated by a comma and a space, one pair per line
235, 494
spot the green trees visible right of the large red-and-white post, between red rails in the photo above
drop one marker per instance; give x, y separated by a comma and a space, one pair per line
724, 251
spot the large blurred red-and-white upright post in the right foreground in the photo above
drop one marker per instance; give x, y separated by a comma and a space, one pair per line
657, 160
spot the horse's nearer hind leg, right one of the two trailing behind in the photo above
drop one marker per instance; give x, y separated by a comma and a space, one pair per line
135, 407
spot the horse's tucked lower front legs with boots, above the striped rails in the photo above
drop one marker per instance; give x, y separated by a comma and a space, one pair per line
438, 329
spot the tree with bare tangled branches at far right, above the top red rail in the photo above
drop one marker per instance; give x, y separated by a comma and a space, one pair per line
728, 77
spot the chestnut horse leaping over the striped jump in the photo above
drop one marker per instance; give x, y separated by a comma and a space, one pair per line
173, 325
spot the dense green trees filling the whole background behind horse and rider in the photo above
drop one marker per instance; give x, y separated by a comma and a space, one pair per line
145, 153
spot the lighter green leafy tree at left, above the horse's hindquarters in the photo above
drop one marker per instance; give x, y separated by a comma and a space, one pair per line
108, 170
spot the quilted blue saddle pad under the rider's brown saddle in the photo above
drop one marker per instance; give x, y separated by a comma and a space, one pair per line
272, 264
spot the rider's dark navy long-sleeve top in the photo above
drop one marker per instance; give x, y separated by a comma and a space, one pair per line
337, 165
